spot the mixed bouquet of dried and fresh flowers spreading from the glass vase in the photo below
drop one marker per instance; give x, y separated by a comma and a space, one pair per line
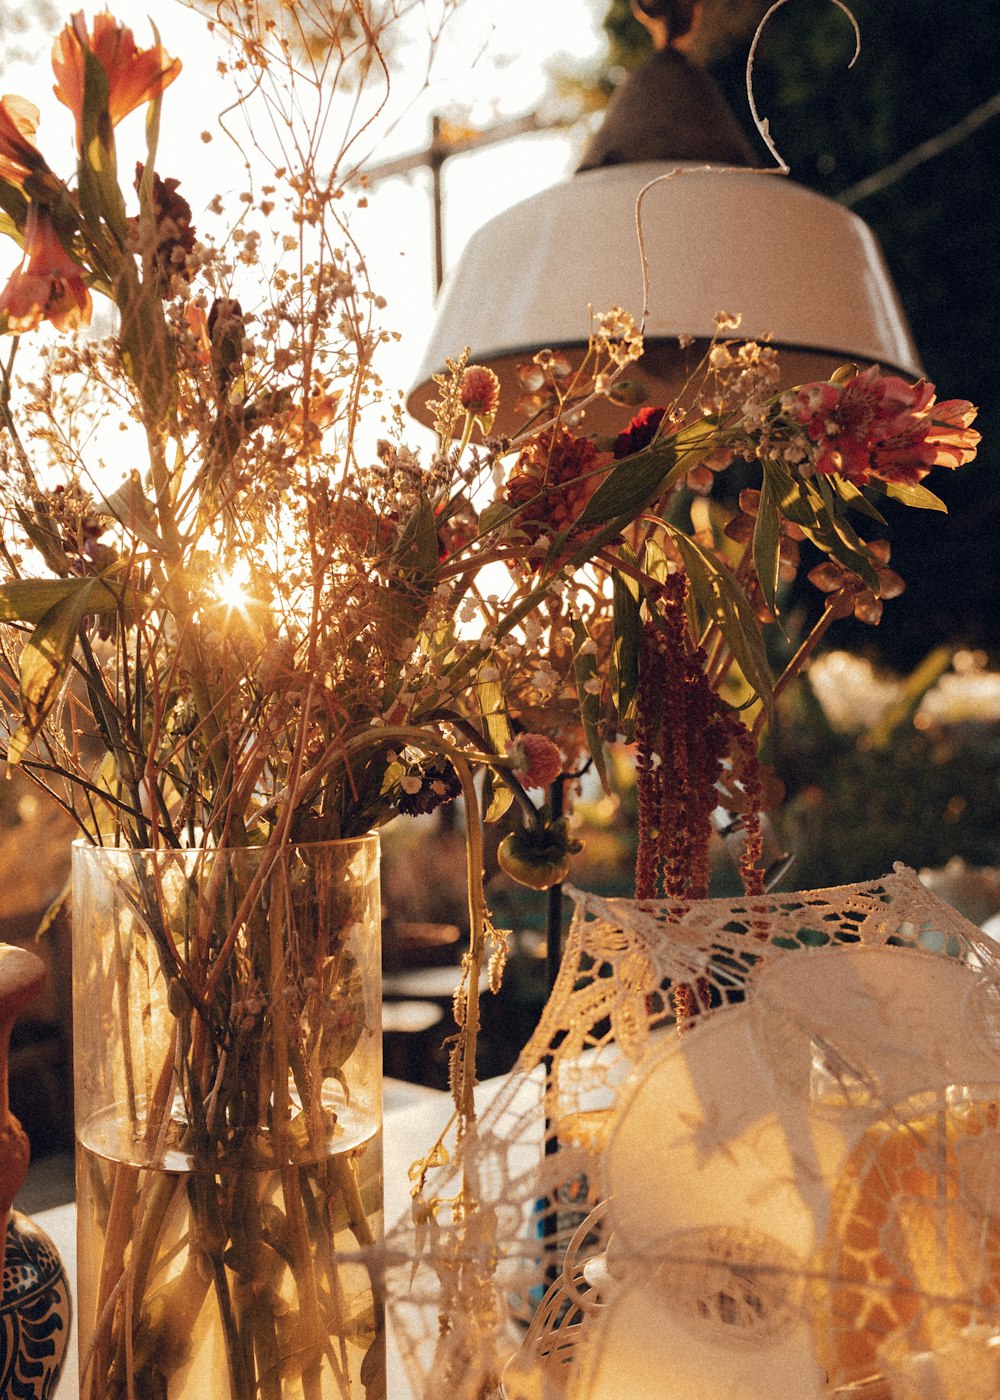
263, 638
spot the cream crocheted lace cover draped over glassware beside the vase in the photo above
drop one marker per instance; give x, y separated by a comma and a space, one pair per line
753, 1149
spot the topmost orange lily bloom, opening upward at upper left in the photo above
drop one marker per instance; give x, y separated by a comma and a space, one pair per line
135, 76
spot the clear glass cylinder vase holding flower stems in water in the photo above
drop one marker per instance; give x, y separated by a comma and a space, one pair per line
228, 1073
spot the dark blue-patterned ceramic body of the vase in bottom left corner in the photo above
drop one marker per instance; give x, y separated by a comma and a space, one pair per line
34, 1314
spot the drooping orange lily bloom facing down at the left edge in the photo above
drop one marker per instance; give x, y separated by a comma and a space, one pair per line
50, 285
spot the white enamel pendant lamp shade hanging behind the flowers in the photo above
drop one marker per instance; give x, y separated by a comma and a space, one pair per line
795, 265
